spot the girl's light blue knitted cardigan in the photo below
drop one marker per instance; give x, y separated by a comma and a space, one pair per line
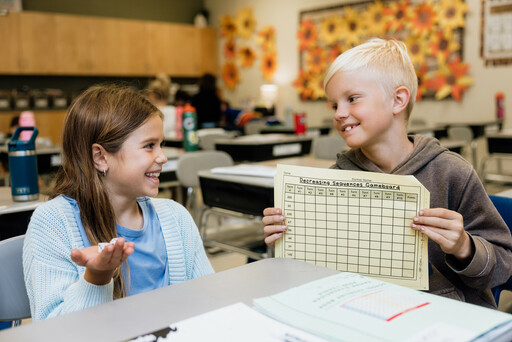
56, 285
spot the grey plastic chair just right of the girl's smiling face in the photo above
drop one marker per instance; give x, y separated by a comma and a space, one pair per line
189, 164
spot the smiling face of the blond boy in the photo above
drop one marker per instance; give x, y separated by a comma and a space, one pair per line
363, 112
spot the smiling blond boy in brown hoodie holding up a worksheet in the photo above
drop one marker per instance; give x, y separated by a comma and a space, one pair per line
372, 88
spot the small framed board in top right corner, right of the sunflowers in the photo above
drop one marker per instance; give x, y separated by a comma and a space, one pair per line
496, 32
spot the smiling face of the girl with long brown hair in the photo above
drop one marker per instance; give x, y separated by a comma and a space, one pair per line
133, 171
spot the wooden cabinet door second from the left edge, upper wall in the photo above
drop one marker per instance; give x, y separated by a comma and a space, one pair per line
38, 53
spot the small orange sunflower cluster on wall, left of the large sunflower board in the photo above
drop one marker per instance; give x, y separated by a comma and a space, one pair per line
240, 37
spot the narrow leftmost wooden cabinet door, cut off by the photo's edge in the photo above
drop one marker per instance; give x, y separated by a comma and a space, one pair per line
9, 40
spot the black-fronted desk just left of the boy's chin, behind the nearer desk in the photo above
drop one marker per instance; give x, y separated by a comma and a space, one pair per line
258, 147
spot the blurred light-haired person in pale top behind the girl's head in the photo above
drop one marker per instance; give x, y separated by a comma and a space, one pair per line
159, 92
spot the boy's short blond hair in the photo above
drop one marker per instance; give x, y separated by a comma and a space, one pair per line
388, 59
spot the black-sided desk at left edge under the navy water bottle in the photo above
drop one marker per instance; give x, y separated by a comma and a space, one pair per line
14, 216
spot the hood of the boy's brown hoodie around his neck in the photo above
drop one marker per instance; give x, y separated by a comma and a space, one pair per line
425, 150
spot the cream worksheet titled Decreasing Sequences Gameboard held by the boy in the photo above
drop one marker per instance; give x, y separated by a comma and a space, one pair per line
354, 221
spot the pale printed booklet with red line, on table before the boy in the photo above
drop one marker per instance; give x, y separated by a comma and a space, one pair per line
352, 307
